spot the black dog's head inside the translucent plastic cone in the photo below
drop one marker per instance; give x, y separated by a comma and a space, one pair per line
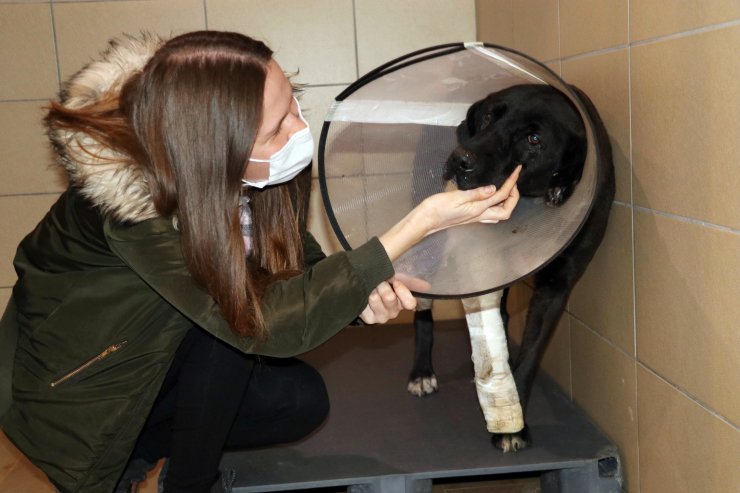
536, 126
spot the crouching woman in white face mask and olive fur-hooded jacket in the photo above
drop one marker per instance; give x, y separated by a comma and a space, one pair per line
147, 290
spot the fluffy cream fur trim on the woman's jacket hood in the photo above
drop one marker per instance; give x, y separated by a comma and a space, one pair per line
104, 176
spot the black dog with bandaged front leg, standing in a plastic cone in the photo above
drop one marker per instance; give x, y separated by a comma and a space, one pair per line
538, 127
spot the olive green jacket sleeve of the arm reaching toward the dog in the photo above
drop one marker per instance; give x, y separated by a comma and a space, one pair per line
300, 312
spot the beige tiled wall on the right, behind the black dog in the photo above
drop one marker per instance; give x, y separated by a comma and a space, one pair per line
653, 341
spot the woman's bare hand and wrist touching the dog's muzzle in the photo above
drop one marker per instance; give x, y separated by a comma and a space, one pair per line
447, 209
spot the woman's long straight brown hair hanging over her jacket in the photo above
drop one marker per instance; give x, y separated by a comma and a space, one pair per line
189, 120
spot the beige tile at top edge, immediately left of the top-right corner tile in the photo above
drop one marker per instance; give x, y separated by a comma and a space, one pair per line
589, 25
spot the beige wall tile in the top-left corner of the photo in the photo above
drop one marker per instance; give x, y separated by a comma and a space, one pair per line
27, 56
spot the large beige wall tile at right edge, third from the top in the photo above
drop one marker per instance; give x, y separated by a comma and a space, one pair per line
687, 309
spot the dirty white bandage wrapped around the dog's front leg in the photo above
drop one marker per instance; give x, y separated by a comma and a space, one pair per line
494, 382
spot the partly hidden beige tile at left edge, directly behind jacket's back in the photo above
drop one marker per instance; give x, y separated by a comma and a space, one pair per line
16, 226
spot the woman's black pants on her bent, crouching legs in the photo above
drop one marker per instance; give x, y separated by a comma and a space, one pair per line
215, 398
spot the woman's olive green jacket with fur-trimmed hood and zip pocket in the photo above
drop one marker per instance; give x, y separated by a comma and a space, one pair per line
103, 299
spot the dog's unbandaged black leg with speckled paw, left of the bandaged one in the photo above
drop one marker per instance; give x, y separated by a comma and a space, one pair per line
422, 380
